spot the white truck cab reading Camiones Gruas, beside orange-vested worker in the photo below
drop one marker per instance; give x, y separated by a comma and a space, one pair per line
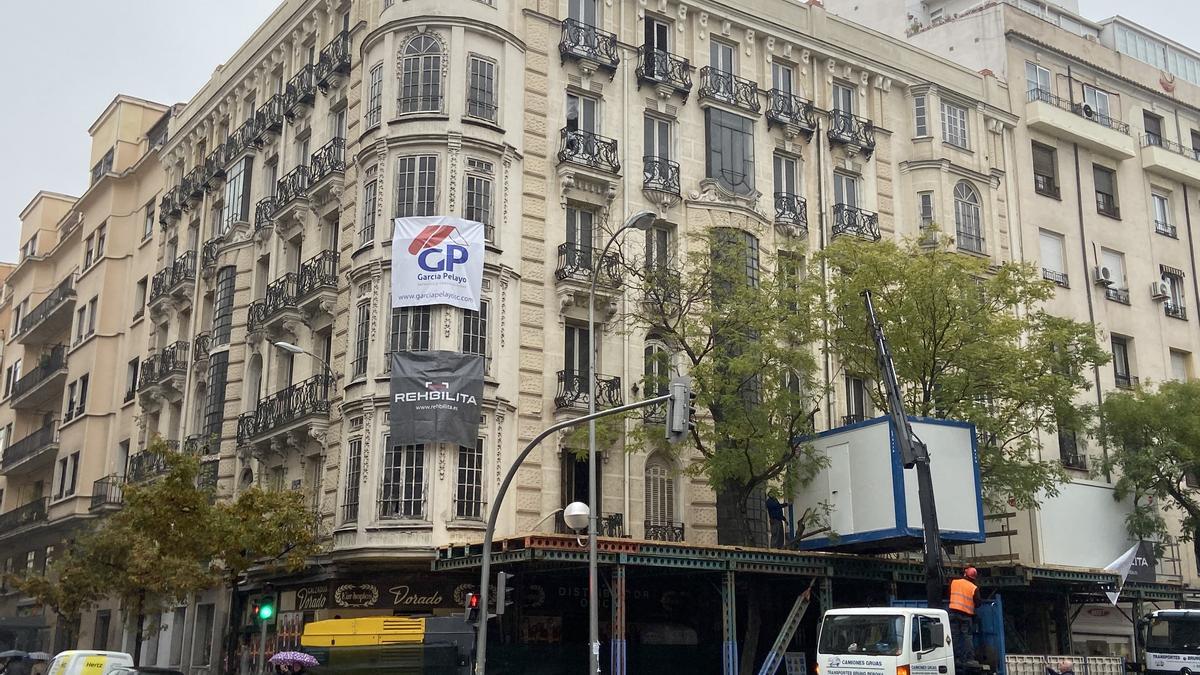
886, 642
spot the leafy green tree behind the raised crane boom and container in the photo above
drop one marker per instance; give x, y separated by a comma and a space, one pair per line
971, 343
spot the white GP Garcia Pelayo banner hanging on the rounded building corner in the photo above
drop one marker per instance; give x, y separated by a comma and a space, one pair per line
437, 261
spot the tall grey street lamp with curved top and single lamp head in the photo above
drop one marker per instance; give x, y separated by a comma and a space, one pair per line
641, 220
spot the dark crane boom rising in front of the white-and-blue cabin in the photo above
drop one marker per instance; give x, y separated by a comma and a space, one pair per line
914, 455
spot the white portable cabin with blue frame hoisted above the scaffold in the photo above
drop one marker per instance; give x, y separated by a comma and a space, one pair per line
873, 499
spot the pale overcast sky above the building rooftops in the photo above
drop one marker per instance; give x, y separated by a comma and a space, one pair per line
67, 59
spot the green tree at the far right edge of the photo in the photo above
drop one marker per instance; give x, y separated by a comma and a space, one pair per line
1154, 439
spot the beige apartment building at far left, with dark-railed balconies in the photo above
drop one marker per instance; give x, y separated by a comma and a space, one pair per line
73, 347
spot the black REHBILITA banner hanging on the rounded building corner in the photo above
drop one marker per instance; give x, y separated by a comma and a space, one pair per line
436, 398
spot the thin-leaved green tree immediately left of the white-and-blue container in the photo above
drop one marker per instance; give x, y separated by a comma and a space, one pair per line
729, 318
